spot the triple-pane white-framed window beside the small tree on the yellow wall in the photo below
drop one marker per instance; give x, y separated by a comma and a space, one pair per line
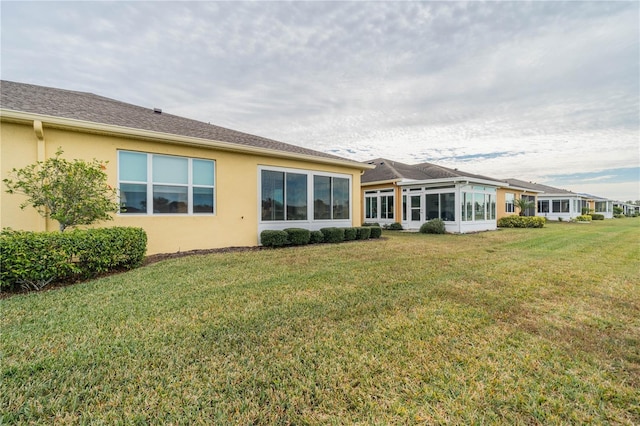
162, 184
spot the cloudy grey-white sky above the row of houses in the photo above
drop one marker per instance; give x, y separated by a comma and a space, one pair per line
547, 92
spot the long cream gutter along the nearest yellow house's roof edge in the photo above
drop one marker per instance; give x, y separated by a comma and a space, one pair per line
149, 135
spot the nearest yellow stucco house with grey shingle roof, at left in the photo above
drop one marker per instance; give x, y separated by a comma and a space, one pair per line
188, 184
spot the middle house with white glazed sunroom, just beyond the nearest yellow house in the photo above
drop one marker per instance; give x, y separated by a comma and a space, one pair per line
414, 194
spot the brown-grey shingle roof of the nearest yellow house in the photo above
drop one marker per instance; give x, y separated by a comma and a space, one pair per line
98, 109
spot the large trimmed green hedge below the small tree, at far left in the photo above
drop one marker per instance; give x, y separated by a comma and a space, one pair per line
34, 259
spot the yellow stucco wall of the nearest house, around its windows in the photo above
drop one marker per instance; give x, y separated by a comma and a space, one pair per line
236, 187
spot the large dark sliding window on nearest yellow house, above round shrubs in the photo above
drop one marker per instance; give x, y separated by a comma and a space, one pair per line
289, 195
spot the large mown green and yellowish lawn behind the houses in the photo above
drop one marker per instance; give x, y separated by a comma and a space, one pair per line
535, 326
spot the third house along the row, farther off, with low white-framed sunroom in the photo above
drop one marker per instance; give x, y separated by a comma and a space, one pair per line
560, 204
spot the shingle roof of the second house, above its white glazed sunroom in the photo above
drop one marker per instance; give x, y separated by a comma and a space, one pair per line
393, 170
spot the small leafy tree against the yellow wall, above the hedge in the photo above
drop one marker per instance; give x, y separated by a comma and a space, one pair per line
69, 192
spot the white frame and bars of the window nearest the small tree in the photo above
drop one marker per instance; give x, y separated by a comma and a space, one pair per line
149, 183
